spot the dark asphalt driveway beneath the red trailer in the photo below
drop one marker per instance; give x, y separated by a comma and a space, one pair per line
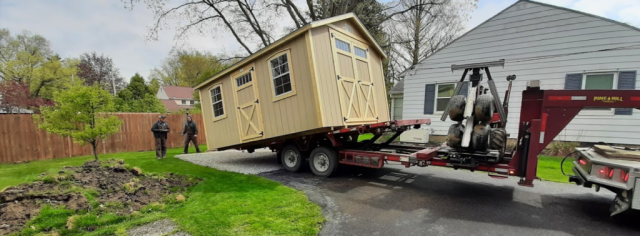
439, 201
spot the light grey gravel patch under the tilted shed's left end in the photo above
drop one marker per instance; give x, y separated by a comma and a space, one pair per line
261, 161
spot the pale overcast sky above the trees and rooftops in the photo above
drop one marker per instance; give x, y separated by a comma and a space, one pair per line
105, 26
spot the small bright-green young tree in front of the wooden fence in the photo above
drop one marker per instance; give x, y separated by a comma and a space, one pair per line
83, 113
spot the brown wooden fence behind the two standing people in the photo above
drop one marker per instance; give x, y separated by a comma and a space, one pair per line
21, 140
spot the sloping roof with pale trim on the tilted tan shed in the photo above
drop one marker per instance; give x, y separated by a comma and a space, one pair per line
292, 35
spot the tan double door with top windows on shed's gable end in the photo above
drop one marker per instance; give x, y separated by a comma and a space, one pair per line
355, 85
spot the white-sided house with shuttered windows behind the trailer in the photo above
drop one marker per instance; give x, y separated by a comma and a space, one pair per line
563, 48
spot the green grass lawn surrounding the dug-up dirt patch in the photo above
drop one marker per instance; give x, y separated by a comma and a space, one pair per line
223, 203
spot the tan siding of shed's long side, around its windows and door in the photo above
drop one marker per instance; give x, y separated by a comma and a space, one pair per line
285, 116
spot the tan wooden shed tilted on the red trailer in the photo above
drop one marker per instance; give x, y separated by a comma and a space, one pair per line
326, 75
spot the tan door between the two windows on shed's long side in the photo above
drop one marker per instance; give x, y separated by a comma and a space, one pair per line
247, 105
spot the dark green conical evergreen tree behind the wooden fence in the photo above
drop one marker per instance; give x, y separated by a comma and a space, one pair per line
138, 97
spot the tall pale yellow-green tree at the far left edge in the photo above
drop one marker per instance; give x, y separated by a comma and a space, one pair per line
27, 59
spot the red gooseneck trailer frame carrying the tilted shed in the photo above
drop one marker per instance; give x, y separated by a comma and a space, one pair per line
543, 115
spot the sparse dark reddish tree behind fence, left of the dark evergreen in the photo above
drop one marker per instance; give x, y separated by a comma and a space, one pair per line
99, 70
